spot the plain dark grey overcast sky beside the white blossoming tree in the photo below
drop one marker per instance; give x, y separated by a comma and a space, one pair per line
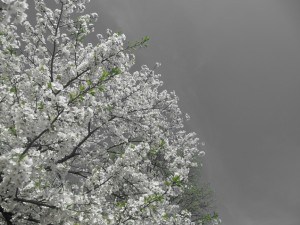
235, 66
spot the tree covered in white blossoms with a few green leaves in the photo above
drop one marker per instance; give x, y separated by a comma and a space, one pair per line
82, 139
